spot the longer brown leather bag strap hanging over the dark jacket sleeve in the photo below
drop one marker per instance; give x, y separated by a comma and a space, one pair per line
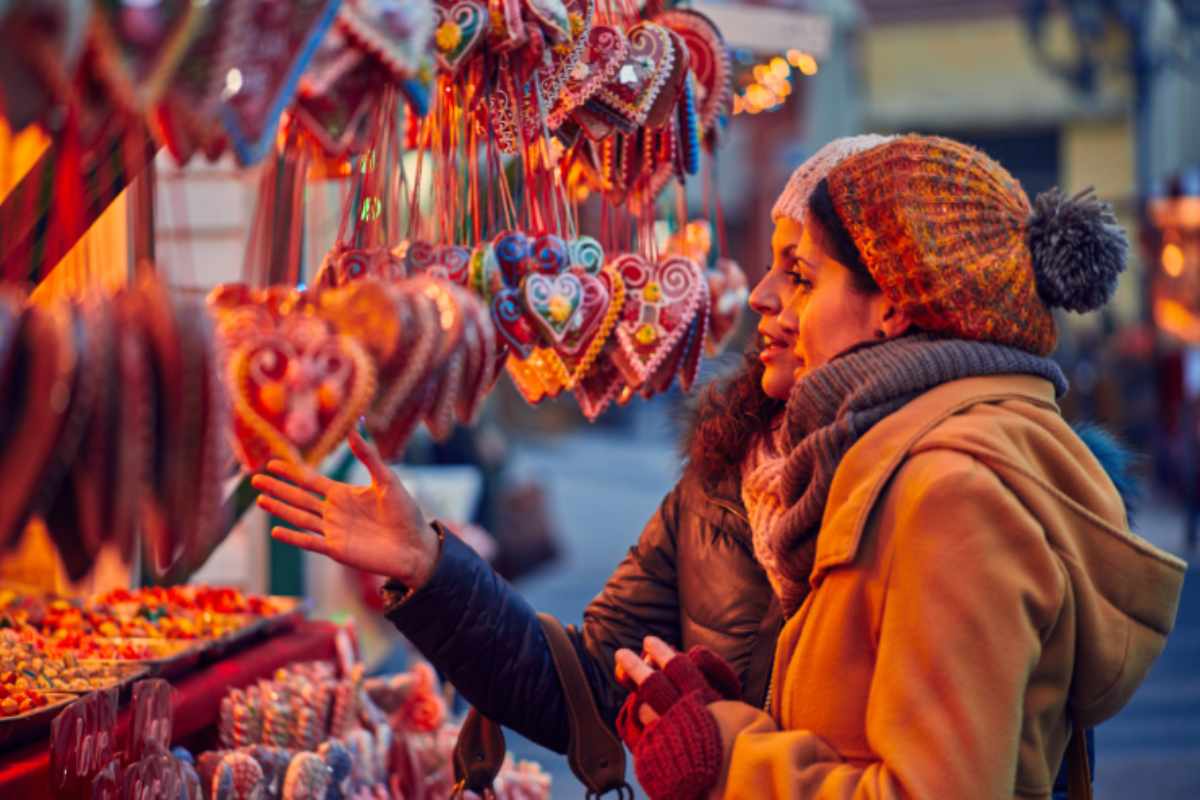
596, 754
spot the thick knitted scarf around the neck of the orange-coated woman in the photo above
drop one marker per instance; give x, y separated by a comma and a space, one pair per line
787, 479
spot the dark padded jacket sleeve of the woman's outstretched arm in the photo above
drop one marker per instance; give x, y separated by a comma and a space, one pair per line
487, 640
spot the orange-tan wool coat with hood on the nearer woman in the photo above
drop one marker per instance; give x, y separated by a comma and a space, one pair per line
976, 582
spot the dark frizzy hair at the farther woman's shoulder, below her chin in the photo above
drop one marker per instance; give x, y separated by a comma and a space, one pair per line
725, 420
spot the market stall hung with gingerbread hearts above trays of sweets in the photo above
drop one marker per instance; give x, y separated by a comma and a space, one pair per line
503, 166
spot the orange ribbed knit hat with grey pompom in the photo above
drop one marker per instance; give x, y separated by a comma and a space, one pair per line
952, 239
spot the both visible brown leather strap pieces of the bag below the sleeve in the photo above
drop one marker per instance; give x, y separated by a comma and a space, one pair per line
596, 754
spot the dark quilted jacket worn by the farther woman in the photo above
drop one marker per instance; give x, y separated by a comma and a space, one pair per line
691, 580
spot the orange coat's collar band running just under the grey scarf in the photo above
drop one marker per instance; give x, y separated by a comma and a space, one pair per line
872, 462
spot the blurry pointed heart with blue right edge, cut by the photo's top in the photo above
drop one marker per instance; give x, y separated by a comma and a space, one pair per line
277, 45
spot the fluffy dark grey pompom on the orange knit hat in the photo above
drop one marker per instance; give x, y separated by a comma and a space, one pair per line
1078, 248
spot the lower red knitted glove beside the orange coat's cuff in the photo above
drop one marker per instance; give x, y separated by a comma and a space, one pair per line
680, 756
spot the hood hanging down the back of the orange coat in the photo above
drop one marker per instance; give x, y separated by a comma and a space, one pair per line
1125, 591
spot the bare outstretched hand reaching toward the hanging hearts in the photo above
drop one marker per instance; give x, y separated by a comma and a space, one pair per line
375, 528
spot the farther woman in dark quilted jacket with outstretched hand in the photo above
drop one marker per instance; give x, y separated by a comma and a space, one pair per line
693, 578
